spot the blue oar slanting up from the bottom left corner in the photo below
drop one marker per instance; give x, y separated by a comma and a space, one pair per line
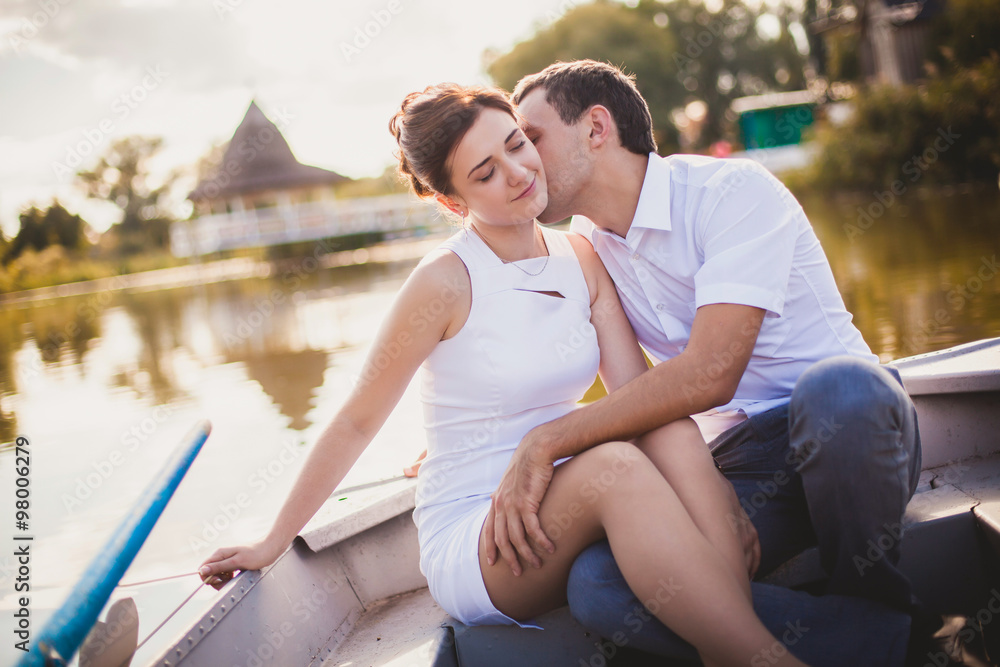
68, 627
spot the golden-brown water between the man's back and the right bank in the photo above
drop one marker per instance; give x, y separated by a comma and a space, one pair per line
922, 275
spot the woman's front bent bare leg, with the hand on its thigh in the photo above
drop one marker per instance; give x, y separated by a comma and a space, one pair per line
615, 490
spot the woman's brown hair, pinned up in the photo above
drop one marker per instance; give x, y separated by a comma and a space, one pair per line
429, 125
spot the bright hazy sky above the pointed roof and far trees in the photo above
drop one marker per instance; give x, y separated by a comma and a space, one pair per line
77, 74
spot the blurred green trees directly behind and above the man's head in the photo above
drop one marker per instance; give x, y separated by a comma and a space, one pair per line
678, 51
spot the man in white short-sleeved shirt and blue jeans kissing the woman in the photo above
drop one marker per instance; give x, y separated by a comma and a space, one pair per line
727, 287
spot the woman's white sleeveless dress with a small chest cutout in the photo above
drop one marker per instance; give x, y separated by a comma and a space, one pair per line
523, 358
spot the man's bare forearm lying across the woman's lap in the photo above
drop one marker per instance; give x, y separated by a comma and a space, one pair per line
669, 391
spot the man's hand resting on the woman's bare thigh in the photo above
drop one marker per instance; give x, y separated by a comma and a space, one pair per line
513, 517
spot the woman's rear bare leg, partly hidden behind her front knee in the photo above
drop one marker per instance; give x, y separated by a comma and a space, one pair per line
680, 454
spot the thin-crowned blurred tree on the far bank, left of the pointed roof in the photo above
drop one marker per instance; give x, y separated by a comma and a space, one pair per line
121, 176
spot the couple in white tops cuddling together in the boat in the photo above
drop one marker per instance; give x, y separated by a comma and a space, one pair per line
526, 499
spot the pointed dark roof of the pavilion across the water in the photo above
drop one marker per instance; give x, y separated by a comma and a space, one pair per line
264, 162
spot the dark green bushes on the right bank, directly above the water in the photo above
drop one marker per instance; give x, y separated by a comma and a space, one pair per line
897, 133
